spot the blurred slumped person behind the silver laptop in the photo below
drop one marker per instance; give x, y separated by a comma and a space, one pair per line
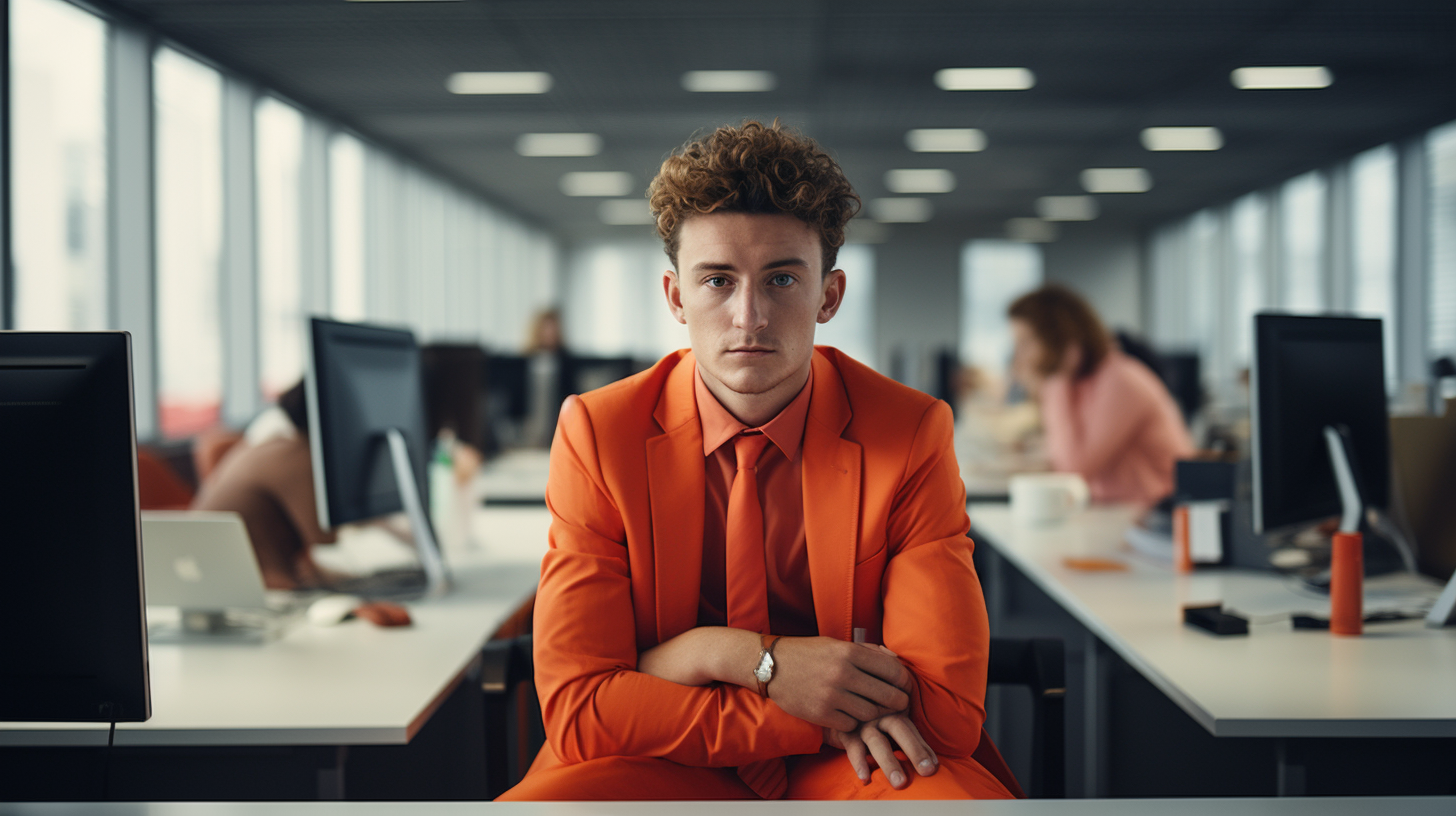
267, 479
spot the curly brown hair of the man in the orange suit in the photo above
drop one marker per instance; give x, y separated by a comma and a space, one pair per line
753, 168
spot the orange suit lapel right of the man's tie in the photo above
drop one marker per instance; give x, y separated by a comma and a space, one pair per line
832, 496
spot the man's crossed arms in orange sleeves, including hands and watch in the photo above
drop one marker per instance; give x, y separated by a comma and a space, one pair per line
694, 700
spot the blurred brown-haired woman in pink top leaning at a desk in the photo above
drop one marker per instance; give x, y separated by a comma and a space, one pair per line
1106, 415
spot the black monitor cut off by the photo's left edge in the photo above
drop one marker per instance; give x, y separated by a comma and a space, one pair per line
74, 629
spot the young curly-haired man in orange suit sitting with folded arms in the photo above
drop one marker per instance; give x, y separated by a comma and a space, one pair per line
736, 531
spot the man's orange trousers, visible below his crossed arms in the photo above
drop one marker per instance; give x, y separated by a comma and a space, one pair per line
820, 776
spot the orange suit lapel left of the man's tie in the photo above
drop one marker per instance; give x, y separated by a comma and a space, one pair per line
676, 489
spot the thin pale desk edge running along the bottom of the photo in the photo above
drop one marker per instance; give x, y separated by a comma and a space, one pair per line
1333, 807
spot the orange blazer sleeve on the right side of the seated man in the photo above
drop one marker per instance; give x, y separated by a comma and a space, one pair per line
934, 611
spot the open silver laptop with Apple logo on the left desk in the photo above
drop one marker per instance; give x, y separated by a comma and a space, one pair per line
203, 565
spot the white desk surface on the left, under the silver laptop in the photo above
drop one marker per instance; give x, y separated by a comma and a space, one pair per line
353, 684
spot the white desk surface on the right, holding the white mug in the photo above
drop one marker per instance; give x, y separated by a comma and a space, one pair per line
1396, 681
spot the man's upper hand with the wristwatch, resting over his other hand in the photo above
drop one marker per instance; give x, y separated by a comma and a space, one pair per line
838, 686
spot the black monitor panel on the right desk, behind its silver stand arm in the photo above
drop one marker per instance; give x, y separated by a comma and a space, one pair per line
1311, 374
